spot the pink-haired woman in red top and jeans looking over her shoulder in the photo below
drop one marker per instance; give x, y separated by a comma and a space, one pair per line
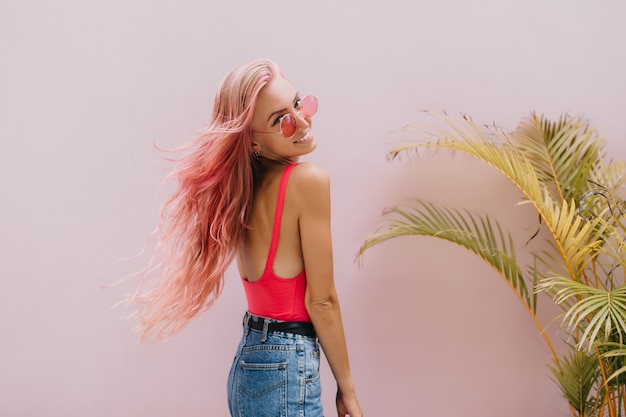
242, 194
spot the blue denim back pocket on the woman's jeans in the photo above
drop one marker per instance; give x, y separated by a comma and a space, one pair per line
262, 389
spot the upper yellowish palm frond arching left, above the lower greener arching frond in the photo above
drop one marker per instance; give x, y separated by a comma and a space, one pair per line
495, 148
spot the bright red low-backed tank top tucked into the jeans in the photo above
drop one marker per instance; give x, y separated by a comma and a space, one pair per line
272, 296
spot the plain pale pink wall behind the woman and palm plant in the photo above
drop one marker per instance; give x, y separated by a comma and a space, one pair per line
87, 88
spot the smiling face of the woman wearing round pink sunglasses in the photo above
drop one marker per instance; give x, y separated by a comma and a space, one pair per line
277, 99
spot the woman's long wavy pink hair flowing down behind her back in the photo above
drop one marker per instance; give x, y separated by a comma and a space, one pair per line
202, 224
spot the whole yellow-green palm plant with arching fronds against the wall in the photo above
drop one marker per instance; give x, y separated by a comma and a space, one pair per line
559, 168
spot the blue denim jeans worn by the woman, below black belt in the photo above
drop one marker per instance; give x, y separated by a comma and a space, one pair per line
275, 374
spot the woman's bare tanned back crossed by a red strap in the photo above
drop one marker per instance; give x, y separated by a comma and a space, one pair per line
252, 256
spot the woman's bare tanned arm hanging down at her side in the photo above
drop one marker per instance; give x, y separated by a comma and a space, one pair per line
322, 303
